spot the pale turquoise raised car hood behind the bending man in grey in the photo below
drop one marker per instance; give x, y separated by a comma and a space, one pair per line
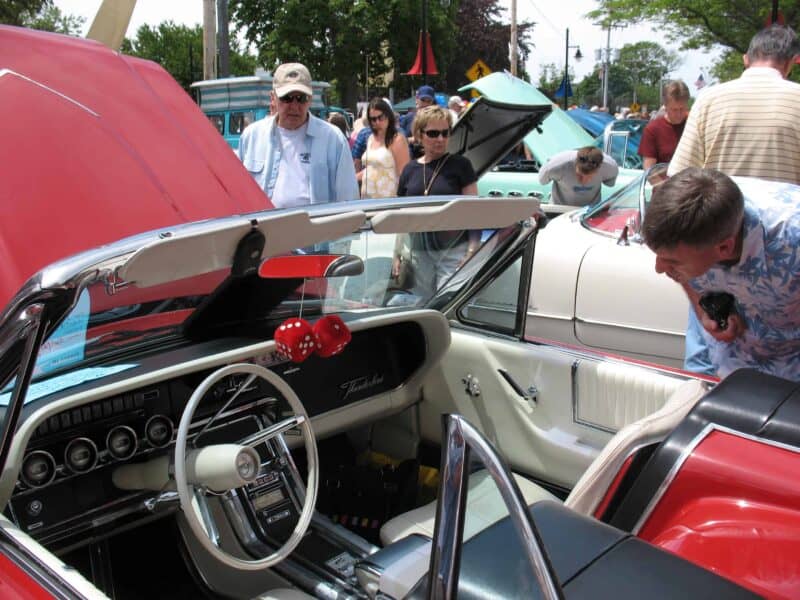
557, 133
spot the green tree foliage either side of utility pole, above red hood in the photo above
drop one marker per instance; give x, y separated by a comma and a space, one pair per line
179, 49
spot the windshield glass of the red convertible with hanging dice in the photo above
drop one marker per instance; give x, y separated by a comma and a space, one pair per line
400, 270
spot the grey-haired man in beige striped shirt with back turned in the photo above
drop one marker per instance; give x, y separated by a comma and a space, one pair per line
751, 125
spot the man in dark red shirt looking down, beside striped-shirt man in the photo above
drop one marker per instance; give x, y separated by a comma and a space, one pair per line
660, 137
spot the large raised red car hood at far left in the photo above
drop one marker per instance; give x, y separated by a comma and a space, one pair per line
97, 146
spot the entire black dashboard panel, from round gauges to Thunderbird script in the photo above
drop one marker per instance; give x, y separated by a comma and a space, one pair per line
65, 492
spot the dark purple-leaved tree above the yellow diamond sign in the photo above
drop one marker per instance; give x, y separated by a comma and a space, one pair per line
482, 35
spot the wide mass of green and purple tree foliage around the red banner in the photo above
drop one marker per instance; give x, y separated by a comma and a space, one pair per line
337, 39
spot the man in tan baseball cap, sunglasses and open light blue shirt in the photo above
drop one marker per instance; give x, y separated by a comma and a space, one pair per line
295, 157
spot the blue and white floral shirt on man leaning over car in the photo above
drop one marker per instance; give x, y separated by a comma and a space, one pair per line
765, 283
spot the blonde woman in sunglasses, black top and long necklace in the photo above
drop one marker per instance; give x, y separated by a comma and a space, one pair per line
425, 261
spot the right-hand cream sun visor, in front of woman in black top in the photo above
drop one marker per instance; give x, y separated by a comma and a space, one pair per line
462, 213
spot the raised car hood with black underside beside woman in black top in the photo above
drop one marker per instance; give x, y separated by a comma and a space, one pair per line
489, 129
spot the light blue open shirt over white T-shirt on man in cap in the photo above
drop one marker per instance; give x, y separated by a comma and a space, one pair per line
332, 176
